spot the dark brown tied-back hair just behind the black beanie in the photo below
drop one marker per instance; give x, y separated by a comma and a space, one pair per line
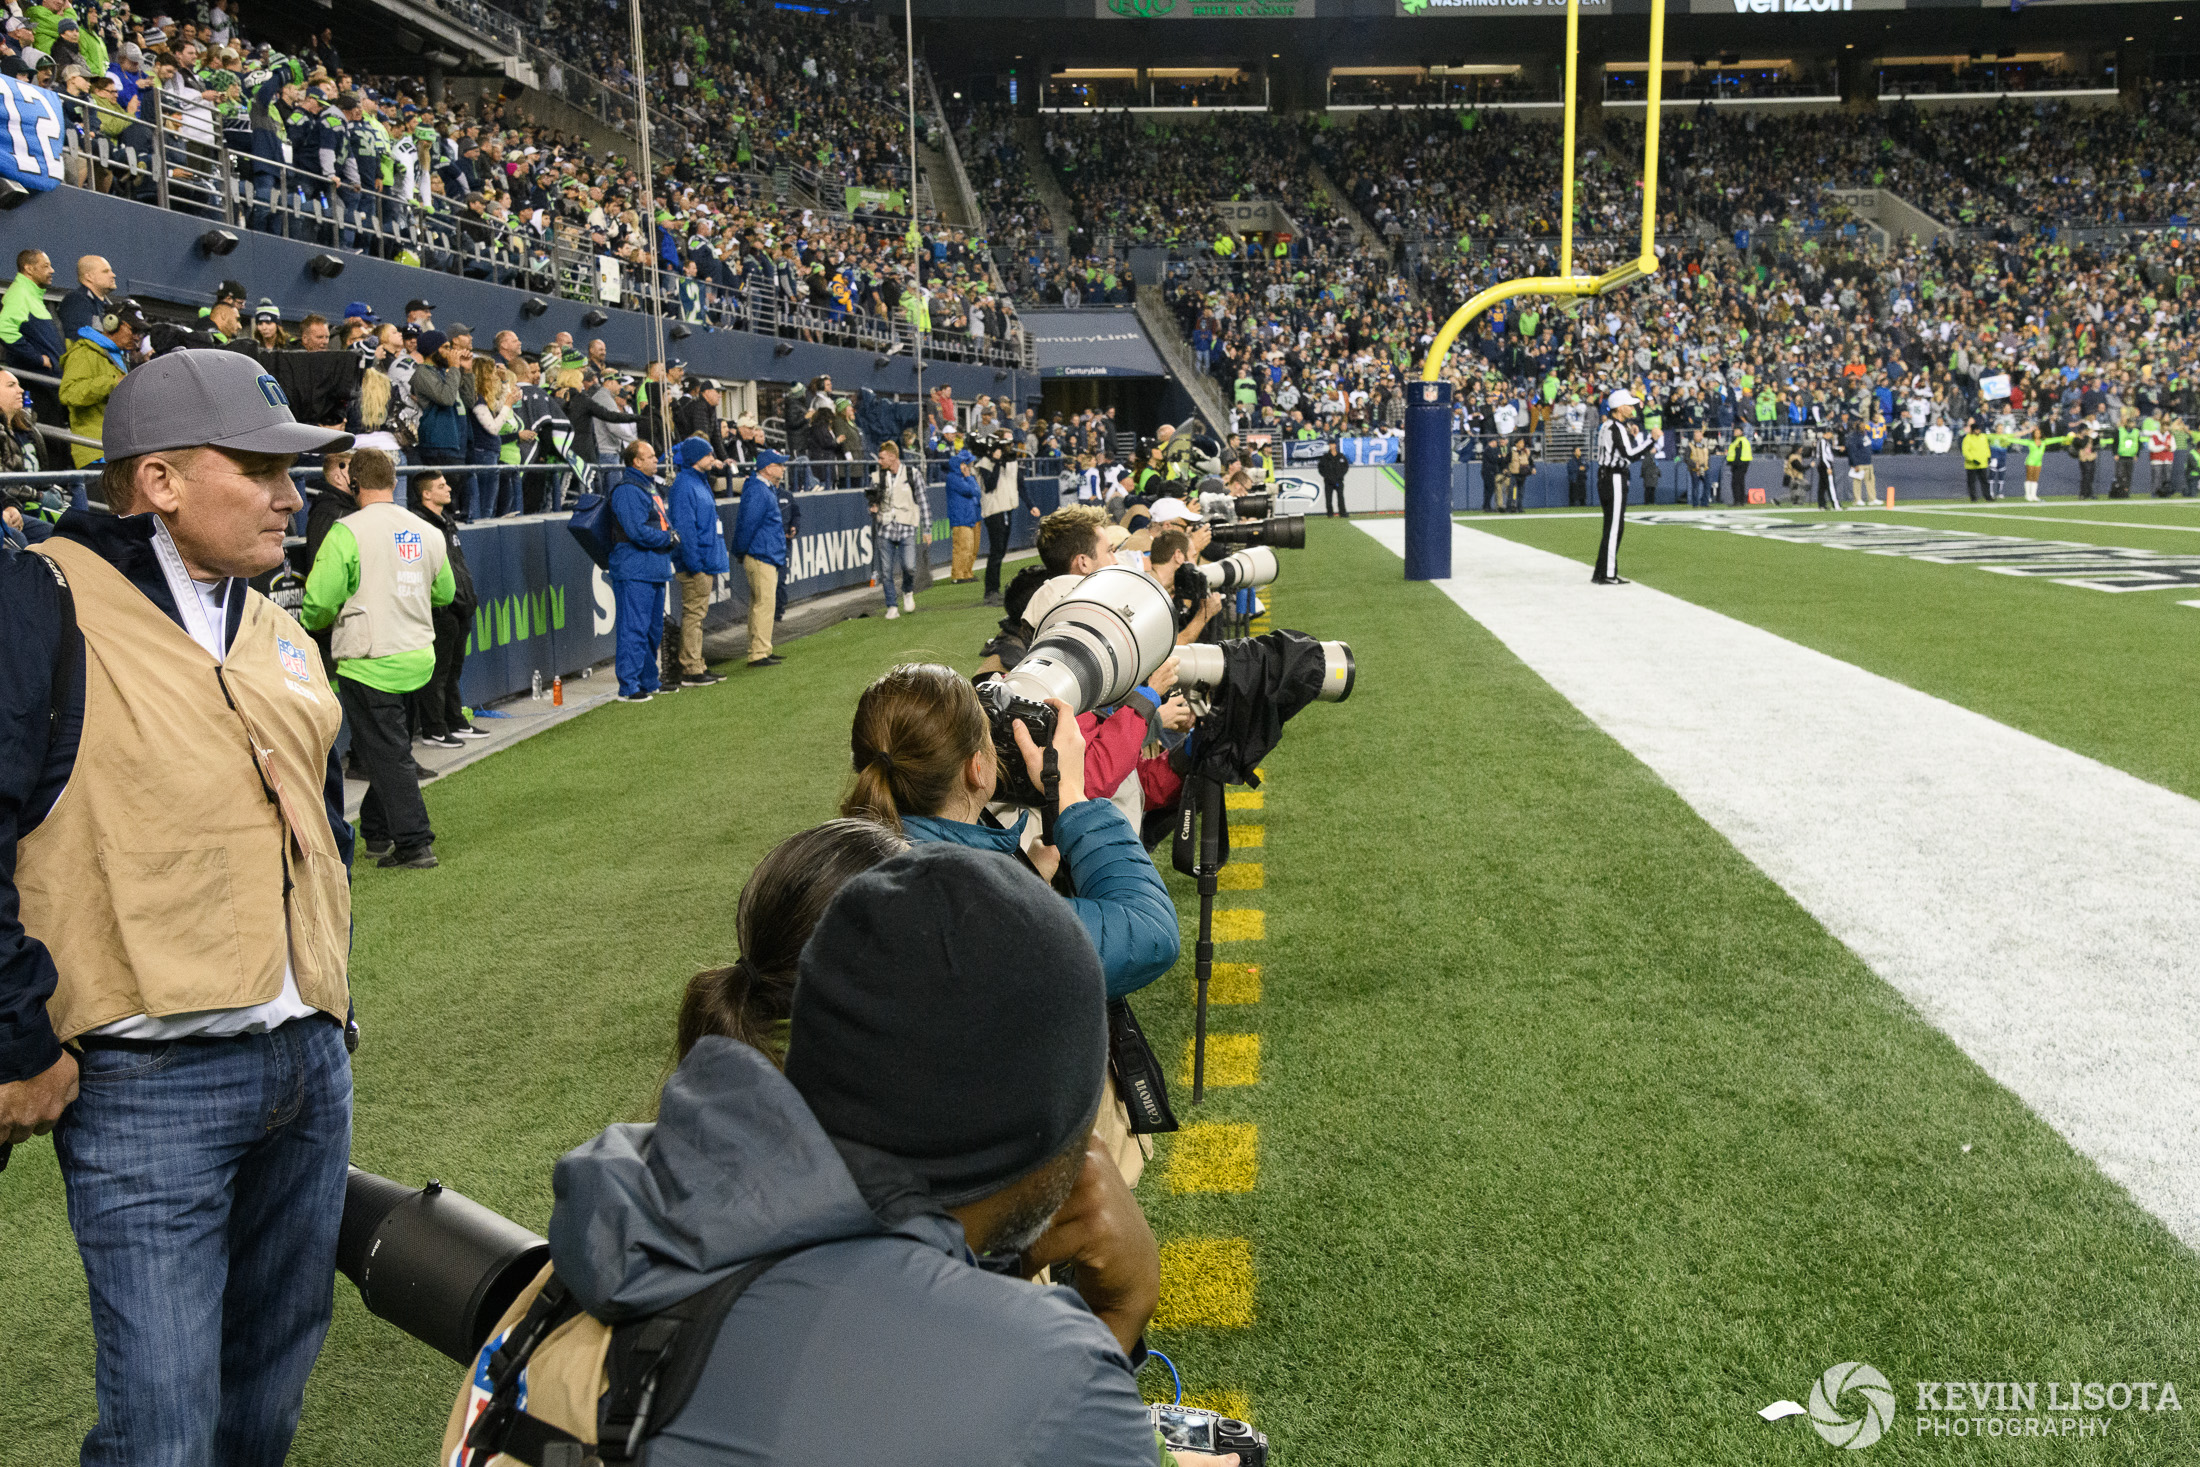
780, 907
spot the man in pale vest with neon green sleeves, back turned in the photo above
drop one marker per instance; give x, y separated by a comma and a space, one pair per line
379, 577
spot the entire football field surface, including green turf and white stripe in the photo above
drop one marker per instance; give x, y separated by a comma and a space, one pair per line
1633, 1002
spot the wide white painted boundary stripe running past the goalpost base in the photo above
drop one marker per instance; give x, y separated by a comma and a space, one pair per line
1981, 872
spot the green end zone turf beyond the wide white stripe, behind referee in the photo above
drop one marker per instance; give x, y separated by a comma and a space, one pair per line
2100, 674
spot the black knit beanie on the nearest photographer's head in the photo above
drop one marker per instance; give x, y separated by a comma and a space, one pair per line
951, 1013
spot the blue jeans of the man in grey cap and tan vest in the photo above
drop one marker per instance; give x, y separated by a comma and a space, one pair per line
206, 1187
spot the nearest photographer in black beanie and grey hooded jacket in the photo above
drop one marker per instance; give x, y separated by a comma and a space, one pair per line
947, 1055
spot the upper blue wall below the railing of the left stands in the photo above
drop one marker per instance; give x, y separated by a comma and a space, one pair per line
155, 254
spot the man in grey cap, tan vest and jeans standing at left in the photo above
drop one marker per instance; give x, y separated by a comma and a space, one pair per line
175, 916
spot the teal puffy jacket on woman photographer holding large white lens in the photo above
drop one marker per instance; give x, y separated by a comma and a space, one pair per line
1121, 896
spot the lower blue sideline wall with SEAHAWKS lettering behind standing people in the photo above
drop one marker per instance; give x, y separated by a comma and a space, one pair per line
544, 608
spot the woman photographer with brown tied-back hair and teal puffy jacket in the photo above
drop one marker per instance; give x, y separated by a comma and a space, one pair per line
925, 764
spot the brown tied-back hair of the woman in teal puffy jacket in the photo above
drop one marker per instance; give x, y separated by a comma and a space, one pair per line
914, 733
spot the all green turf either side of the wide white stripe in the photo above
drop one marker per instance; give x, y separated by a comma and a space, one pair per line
1574, 1140
